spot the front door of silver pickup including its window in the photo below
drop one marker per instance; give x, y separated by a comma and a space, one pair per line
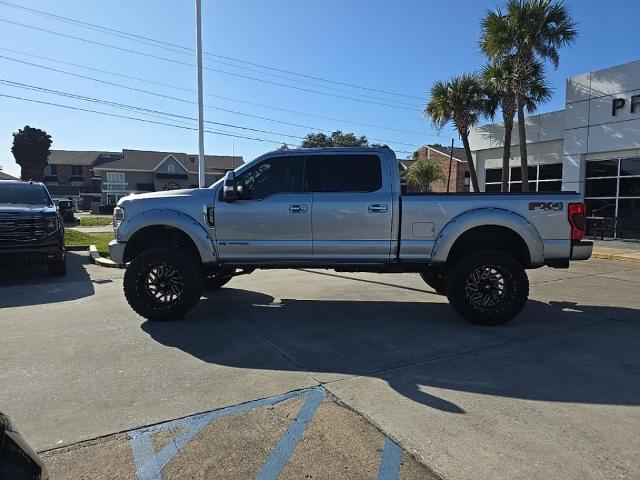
271, 221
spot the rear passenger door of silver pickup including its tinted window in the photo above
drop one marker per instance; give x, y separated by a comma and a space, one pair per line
352, 208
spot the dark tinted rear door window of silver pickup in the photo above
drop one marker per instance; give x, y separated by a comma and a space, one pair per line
344, 173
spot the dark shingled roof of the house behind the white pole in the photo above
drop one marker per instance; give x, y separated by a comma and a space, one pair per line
150, 160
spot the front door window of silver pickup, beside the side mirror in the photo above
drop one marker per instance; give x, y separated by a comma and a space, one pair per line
271, 176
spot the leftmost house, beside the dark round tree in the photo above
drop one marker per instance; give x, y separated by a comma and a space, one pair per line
69, 175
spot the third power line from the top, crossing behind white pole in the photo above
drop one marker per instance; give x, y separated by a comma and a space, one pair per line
261, 105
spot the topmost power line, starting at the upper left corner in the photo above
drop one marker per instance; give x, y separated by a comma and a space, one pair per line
181, 48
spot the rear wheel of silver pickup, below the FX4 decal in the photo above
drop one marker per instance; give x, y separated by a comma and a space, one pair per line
488, 287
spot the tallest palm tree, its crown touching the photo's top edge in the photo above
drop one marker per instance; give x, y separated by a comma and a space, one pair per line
526, 32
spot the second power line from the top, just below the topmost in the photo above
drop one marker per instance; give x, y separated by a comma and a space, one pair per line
239, 75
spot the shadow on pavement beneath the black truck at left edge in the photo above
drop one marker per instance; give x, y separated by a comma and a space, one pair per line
32, 284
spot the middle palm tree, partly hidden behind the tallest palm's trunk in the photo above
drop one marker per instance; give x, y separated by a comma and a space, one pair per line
497, 79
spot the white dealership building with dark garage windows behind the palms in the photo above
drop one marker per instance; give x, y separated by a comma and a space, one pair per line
592, 146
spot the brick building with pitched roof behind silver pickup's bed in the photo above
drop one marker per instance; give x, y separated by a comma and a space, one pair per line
459, 177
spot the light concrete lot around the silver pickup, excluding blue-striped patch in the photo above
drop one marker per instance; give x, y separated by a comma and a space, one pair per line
554, 394
